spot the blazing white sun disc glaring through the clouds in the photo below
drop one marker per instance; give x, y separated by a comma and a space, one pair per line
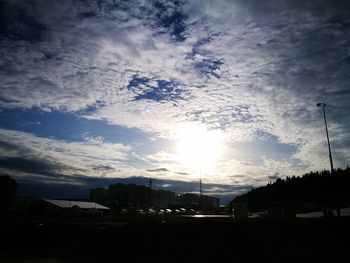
198, 148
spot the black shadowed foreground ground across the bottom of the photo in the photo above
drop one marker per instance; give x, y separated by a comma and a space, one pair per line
173, 239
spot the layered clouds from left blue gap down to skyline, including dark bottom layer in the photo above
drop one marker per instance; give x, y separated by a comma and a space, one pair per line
42, 168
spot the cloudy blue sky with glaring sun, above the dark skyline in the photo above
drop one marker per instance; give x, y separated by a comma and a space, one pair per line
96, 92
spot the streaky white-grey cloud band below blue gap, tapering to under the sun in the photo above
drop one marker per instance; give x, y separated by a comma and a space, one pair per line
29, 157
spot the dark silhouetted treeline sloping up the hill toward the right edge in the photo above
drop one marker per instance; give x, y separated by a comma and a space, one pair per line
320, 188
